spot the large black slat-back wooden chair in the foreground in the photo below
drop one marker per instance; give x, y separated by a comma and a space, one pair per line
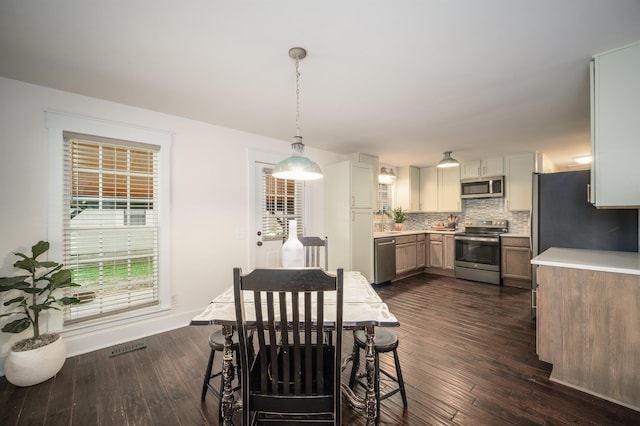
295, 376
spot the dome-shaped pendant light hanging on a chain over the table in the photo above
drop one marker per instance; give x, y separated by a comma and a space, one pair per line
297, 166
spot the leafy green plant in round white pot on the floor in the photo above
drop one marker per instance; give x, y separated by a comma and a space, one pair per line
40, 357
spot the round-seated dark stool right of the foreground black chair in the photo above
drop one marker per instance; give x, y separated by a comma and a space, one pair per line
385, 341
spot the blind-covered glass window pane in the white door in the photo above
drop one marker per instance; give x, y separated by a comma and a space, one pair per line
283, 200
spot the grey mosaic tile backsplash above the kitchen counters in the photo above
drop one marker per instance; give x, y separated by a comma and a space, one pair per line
475, 208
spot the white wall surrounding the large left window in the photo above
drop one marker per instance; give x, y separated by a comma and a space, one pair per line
206, 211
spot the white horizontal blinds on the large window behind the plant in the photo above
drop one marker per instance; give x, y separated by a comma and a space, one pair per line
110, 225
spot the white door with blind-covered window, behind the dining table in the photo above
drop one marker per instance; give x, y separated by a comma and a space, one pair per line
275, 203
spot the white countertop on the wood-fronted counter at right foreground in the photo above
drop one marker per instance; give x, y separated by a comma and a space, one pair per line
595, 260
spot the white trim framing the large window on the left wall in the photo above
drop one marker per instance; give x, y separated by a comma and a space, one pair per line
57, 123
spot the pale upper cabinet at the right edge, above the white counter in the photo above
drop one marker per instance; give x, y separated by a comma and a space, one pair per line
615, 128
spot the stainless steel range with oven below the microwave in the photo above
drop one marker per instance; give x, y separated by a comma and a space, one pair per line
478, 250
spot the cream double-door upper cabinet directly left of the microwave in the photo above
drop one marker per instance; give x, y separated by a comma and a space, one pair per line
440, 189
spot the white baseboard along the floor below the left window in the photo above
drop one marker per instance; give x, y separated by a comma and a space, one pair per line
81, 343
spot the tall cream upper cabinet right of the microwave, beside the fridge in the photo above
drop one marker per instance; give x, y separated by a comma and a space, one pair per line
519, 181
